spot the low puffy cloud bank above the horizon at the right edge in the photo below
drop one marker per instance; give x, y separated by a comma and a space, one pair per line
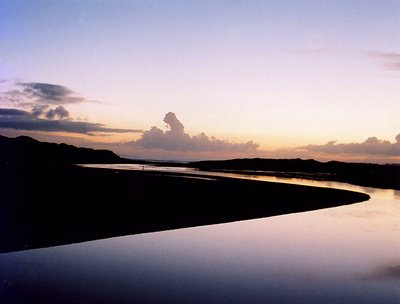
371, 146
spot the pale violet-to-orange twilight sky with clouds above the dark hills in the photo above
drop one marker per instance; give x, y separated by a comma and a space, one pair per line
205, 79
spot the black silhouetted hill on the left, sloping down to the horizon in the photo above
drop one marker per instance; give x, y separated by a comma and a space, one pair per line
24, 149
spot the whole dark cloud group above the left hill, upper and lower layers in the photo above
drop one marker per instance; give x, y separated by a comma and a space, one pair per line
41, 107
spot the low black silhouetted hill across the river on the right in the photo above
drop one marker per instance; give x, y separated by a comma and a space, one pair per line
363, 174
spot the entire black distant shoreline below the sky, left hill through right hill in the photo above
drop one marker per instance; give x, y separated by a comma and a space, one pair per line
24, 149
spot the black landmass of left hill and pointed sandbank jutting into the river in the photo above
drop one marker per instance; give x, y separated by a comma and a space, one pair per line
46, 200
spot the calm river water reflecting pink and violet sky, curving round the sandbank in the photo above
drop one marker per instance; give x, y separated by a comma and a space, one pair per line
348, 254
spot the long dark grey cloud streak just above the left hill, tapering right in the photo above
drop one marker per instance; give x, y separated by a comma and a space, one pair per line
17, 119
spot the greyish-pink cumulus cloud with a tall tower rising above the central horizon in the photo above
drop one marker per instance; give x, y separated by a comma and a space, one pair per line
176, 139
